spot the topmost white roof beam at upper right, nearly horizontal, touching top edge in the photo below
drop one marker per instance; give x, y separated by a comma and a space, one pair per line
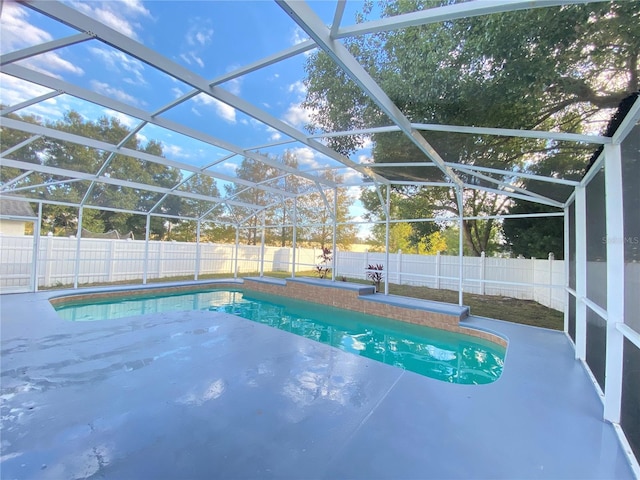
449, 13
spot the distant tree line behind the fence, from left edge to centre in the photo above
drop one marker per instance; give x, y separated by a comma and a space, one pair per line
217, 221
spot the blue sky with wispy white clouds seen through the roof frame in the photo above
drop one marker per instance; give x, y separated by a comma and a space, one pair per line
210, 38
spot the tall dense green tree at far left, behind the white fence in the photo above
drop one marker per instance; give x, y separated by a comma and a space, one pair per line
70, 156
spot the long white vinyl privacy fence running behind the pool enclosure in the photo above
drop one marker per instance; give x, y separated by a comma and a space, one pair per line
108, 260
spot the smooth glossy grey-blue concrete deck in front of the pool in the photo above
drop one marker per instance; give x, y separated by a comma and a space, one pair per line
210, 395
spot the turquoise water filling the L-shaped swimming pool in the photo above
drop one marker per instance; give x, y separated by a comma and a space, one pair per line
446, 356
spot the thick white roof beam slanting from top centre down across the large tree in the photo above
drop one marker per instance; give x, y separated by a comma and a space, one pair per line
306, 18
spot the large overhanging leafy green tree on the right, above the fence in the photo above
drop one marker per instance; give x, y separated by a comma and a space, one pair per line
545, 68
